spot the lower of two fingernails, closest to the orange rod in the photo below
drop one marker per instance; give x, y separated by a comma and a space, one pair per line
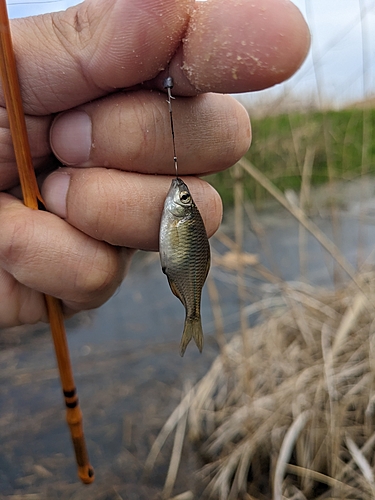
54, 192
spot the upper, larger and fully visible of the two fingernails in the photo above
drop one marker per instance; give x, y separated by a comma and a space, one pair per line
71, 138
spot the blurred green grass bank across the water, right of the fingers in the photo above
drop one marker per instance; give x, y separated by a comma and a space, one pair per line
341, 141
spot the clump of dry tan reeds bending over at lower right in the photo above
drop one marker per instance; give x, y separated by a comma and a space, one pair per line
303, 428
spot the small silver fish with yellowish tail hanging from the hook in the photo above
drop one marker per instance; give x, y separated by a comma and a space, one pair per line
185, 256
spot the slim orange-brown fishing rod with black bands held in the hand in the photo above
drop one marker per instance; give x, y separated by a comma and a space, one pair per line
33, 199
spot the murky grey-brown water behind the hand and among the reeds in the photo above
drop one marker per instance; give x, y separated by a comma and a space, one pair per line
129, 373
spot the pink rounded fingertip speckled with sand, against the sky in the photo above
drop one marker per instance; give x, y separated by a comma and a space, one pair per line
263, 42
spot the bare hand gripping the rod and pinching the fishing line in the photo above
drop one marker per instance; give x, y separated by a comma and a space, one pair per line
92, 85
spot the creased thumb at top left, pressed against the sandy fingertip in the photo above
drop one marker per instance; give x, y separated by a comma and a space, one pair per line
70, 57
